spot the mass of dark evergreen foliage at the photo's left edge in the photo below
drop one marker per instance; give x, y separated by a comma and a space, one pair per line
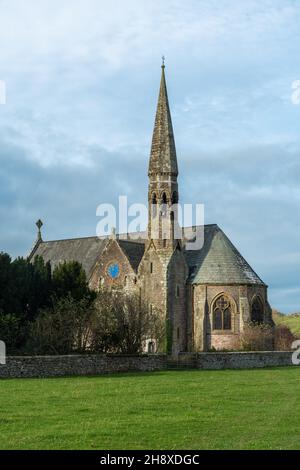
28, 287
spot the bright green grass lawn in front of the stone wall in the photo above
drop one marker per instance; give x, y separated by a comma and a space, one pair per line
248, 409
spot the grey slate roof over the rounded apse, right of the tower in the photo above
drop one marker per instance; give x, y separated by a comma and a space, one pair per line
219, 262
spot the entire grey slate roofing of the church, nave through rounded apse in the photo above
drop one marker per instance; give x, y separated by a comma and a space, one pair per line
217, 262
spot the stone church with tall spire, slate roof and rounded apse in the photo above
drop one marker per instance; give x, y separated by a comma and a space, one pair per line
206, 295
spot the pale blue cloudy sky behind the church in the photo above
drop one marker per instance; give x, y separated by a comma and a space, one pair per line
81, 81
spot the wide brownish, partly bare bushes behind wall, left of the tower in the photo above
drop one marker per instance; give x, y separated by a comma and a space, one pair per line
114, 323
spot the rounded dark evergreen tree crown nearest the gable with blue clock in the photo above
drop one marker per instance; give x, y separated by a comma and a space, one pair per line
69, 279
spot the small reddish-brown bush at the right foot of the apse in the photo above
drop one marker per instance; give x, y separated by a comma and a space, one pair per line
257, 337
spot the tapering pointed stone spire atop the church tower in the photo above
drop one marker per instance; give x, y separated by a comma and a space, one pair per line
163, 152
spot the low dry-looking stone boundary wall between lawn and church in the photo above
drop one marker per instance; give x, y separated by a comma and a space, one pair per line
61, 366
